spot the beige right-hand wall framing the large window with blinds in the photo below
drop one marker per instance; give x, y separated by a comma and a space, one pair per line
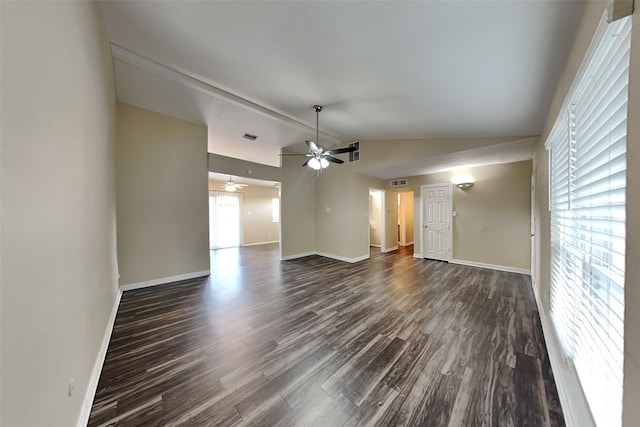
631, 409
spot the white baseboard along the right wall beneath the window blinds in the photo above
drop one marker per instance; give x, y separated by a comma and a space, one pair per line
572, 400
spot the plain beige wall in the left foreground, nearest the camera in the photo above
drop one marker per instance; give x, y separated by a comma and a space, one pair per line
58, 269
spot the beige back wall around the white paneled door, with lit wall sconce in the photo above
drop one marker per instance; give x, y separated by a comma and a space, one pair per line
493, 219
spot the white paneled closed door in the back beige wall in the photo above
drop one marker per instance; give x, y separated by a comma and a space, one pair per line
436, 222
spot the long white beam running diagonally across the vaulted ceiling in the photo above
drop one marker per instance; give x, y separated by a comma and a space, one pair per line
200, 85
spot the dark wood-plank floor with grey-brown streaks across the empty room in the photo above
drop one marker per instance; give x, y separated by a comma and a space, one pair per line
389, 341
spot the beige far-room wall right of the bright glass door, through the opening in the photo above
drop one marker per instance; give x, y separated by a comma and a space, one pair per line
257, 215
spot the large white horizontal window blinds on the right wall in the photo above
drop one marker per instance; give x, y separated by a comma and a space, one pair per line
587, 202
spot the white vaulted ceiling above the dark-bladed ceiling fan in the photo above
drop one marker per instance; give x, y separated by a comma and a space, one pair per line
382, 70
